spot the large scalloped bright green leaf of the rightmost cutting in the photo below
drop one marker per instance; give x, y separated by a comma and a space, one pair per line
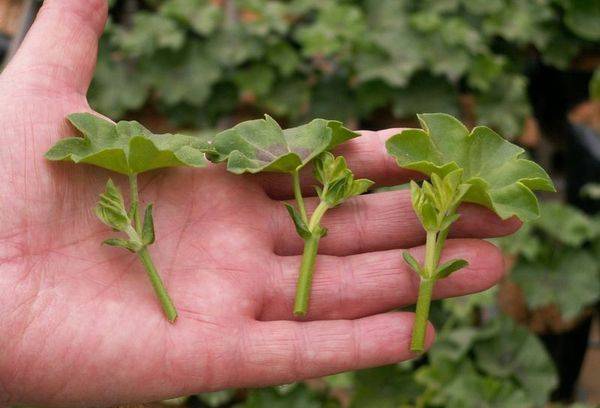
499, 177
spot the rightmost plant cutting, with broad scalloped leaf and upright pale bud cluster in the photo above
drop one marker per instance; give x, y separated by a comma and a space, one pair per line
476, 166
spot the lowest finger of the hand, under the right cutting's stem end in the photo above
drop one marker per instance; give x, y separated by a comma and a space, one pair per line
285, 351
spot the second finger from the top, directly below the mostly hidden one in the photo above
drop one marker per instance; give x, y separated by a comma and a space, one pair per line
375, 222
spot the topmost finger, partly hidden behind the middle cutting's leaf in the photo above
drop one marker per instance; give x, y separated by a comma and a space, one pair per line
367, 157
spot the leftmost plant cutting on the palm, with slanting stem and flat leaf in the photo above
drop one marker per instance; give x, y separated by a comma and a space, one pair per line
128, 148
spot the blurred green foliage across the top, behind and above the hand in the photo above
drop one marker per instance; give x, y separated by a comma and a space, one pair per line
197, 61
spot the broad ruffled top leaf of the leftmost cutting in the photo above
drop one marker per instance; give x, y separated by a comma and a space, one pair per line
126, 147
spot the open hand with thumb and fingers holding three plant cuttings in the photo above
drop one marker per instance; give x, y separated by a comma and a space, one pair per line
79, 321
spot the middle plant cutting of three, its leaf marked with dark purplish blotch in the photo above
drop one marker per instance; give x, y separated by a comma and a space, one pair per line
261, 145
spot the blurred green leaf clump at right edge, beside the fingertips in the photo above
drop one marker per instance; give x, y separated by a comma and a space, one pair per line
557, 259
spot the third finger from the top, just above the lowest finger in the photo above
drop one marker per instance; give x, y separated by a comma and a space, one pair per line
361, 285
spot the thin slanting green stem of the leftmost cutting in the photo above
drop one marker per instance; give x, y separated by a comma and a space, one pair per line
144, 255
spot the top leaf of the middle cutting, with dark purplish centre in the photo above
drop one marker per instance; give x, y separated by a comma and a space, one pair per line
261, 145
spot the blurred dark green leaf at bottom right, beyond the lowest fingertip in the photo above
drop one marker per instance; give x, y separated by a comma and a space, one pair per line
514, 353
